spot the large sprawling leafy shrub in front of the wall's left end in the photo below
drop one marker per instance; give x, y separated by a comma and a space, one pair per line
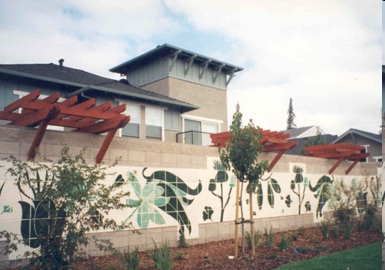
61, 203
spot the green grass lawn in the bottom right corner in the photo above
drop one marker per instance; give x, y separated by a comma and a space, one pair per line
361, 258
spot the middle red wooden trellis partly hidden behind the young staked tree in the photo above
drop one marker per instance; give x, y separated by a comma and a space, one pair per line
271, 140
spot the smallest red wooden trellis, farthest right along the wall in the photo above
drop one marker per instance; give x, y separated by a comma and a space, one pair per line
340, 151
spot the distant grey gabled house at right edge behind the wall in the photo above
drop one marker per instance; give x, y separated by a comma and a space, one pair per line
371, 141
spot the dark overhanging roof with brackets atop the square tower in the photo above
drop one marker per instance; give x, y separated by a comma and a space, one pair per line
167, 50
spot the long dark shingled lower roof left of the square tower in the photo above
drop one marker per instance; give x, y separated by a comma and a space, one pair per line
89, 82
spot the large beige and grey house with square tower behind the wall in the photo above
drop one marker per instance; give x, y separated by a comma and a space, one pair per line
171, 94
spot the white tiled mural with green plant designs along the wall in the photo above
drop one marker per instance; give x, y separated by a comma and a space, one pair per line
181, 197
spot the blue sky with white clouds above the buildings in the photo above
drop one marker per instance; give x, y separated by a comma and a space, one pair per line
325, 55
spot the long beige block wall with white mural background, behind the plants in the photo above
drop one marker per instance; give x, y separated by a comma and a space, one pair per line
202, 219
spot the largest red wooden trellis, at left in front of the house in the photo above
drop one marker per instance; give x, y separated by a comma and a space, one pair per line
84, 117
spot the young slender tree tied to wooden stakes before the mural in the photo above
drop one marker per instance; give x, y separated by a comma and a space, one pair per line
241, 154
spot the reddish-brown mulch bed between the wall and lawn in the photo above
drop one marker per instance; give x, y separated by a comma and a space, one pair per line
214, 255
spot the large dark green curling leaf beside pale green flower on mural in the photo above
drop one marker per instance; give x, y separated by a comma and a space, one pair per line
174, 190
